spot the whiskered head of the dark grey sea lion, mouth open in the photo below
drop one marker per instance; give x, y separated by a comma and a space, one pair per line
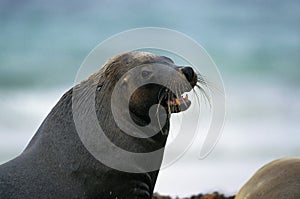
148, 80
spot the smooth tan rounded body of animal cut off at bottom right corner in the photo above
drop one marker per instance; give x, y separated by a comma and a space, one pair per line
277, 180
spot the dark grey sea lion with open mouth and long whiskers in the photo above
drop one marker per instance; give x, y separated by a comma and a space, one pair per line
56, 164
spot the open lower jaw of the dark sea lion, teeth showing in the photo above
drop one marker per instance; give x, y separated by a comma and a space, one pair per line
178, 104
